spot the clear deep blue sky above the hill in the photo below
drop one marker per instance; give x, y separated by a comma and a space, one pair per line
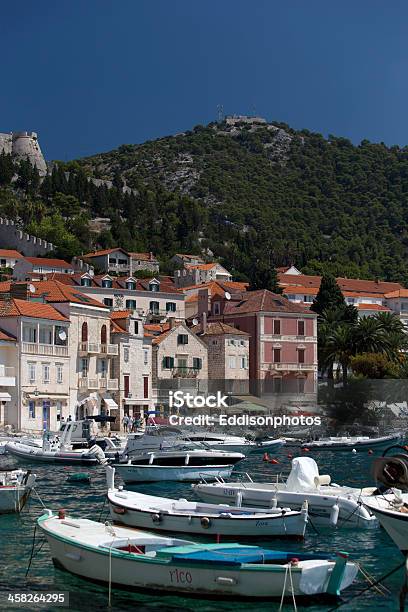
89, 75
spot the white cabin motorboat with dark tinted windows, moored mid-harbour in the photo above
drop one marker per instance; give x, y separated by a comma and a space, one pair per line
192, 464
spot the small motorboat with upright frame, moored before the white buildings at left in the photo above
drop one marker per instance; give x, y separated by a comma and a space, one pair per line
56, 449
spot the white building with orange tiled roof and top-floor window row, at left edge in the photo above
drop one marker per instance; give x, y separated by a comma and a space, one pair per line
35, 363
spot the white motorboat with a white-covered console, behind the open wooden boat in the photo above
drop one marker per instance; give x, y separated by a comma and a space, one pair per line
329, 504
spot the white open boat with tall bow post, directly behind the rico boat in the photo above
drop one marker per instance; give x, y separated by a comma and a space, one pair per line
163, 514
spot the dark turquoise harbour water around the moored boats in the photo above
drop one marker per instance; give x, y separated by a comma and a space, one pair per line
371, 548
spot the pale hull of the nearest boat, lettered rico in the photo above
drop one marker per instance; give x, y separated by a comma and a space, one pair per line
103, 563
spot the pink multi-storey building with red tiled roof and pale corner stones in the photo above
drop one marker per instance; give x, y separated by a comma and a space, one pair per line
283, 338
